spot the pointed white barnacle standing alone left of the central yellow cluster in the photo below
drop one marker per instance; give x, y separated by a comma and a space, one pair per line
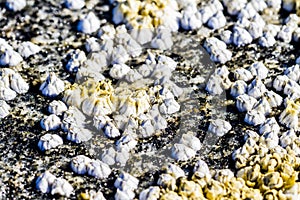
52, 86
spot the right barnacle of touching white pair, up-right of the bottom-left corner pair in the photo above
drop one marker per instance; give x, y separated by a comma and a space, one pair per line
98, 169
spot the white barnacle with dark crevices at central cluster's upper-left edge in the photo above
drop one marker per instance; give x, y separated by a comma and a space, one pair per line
78, 57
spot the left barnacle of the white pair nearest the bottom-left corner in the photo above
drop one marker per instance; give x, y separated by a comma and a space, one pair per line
44, 182
